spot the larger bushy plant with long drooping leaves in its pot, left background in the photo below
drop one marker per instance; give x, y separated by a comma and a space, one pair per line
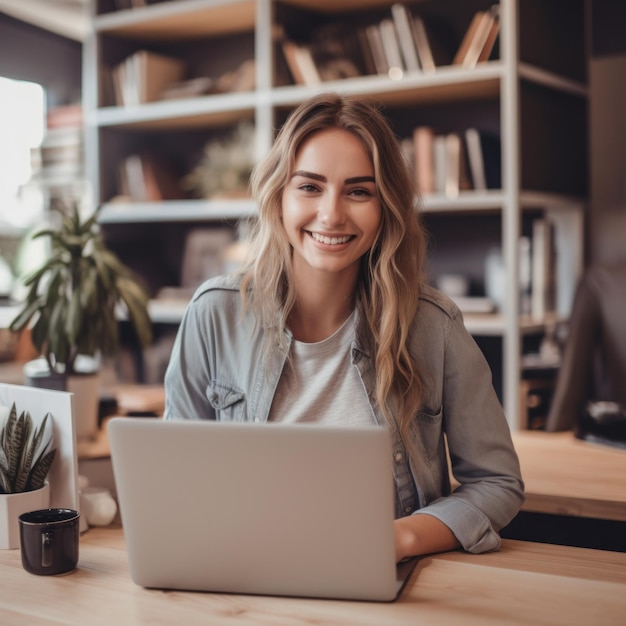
73, 305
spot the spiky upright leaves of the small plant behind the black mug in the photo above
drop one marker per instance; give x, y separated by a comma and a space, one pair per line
25, 454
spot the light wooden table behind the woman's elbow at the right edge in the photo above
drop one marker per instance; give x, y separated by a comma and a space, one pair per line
567, 476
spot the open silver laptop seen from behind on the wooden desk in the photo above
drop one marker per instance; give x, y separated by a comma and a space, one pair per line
279, 509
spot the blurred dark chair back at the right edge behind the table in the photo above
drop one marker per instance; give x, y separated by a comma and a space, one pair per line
594, 359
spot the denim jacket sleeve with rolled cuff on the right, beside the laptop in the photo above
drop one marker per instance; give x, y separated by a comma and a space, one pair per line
482, 457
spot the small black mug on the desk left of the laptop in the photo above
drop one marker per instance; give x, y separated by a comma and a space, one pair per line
49, 541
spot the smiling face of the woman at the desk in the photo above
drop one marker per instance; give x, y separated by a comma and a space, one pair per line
330, 207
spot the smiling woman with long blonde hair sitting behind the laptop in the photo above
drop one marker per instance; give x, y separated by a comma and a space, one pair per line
330, 321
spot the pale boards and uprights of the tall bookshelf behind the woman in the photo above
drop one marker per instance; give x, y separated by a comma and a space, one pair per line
505, 81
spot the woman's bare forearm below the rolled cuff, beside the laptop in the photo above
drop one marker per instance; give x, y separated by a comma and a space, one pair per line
422, 534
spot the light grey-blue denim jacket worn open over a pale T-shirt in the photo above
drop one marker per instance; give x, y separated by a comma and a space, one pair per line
217, 371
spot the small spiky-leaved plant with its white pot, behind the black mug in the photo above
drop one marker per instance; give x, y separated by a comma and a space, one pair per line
26, 455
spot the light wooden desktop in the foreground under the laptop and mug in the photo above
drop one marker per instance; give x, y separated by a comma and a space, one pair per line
524, 583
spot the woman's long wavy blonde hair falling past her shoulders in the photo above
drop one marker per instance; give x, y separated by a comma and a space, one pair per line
387, 291
